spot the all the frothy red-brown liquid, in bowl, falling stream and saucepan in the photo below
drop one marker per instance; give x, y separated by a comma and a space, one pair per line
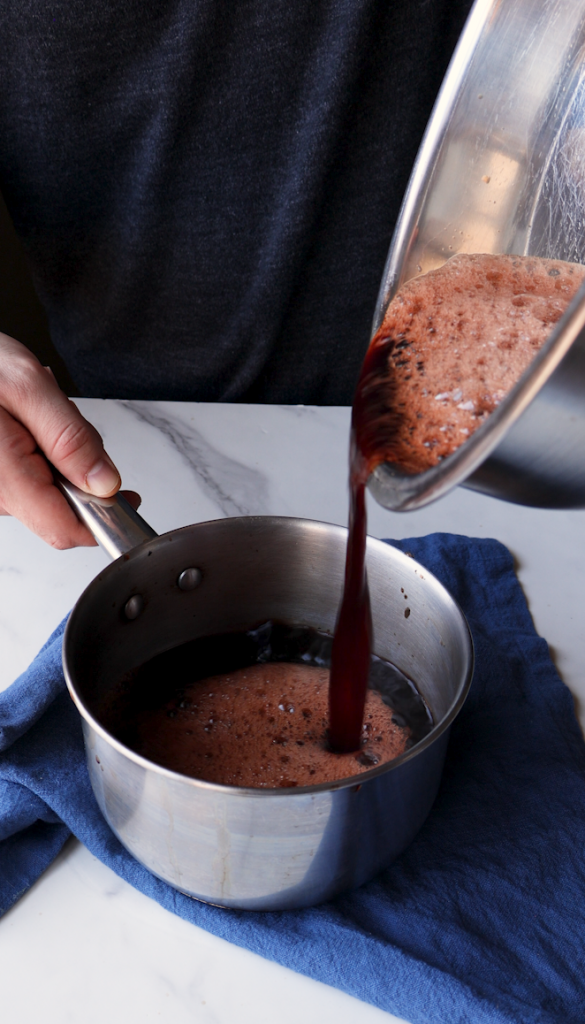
252, 709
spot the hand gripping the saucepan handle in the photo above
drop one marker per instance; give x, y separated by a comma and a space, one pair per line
37, 420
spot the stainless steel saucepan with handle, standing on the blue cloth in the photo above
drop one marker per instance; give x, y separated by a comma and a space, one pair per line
256, 849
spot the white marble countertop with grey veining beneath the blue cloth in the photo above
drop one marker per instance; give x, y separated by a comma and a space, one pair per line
82, 946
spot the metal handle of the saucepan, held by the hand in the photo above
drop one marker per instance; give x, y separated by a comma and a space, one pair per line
115, 525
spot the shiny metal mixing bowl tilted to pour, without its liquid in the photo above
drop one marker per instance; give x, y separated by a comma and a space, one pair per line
503, 170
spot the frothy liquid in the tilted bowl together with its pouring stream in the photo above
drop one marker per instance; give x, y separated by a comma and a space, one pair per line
452, 345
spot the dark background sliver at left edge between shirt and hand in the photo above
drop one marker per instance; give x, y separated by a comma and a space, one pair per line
22, 315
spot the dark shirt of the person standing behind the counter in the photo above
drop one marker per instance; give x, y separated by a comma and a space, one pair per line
207, 192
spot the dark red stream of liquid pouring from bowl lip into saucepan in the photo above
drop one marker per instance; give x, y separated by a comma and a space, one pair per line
374, 423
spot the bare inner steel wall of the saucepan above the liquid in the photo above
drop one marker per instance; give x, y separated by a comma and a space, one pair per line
253, 571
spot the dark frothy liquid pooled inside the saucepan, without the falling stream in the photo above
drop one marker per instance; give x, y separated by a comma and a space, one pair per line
250, 710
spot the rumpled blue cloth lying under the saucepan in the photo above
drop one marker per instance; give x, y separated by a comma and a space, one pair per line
481, 920
